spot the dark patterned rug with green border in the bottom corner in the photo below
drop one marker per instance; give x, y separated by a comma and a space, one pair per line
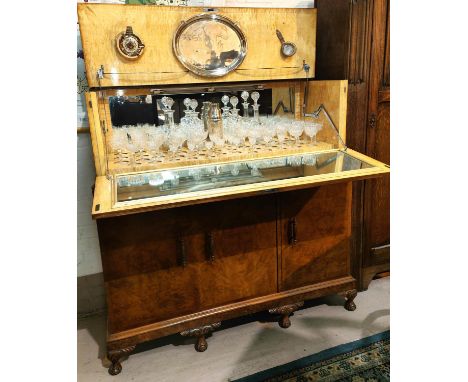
364, 360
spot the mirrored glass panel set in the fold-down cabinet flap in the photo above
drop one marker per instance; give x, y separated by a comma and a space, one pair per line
209, 177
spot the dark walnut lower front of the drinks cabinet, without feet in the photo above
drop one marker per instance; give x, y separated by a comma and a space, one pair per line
198, 264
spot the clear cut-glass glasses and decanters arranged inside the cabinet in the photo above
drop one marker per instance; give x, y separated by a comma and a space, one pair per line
211, 131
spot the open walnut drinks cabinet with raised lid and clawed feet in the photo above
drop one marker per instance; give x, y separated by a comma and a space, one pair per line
211, 212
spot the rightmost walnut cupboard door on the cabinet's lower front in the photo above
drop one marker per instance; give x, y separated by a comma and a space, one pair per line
315, 235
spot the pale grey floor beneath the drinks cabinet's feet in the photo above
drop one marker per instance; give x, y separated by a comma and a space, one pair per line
242, 346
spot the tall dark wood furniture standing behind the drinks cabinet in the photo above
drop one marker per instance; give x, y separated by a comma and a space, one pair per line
353, 42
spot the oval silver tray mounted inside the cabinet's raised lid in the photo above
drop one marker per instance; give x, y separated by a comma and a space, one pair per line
210, 45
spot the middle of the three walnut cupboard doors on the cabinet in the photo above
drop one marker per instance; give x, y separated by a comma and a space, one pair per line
240, 259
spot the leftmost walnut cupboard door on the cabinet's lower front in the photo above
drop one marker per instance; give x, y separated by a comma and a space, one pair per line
146, 263
